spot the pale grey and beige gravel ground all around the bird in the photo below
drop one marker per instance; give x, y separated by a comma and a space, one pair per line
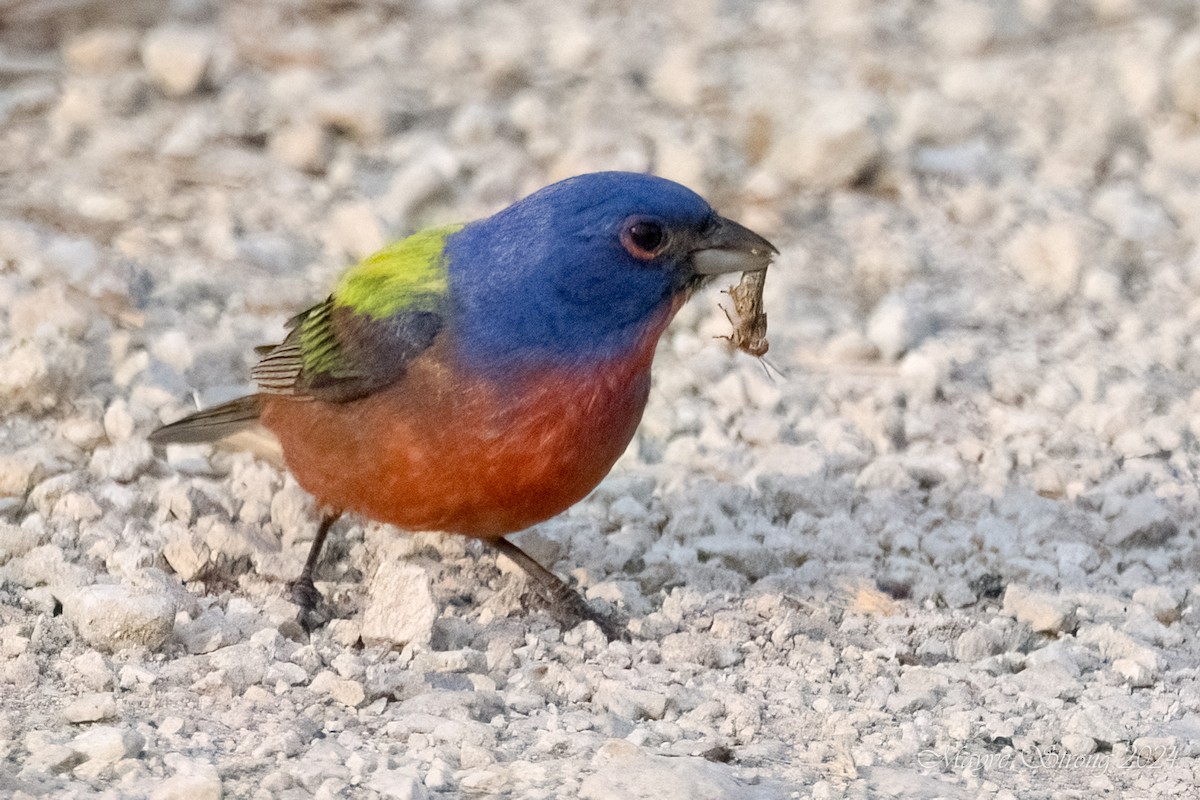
945, 549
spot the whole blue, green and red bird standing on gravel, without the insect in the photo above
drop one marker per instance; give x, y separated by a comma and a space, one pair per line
482, 378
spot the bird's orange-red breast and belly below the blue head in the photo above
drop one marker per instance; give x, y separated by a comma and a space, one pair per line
447, 450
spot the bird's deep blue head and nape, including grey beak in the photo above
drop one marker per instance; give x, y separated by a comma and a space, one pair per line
577, 272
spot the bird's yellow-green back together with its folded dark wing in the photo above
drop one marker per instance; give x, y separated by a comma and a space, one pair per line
385, 312
